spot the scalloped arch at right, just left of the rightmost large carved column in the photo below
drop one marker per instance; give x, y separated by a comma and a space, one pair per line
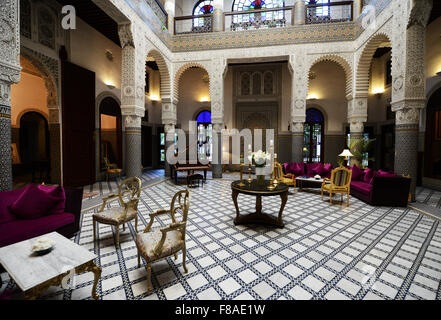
364, 63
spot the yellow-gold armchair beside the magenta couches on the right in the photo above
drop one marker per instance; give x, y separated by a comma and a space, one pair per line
340, 182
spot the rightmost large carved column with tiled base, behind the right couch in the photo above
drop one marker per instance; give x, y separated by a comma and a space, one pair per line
409, 85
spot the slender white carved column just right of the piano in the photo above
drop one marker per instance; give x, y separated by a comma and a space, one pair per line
217, 74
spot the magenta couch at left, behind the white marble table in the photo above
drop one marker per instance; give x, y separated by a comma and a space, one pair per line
13, 229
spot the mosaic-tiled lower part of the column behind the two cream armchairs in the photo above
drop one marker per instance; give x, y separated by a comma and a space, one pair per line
133, 152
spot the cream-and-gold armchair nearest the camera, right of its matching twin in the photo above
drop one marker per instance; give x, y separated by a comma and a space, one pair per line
156, 244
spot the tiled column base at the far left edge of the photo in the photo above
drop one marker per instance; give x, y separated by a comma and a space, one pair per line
5, 149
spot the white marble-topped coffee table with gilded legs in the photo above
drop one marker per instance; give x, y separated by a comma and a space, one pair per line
34, 274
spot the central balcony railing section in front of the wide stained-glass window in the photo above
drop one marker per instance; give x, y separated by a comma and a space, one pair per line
258, 19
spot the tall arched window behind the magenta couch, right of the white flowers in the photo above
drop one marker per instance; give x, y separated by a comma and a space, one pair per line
313, 136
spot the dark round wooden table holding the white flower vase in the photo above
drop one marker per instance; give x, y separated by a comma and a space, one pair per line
259, 191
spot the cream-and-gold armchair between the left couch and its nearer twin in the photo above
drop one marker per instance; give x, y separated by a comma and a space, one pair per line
129, 192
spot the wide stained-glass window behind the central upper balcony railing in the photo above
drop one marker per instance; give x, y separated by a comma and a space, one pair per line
246, 5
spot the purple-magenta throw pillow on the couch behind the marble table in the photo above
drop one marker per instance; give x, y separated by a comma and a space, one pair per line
33, 203
